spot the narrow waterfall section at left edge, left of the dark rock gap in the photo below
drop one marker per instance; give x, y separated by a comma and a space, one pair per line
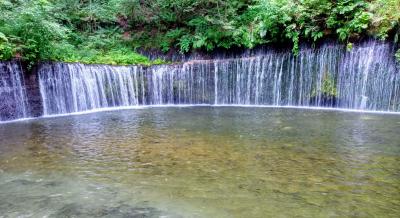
12, 92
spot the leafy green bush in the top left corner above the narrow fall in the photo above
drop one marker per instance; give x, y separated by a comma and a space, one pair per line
29, 29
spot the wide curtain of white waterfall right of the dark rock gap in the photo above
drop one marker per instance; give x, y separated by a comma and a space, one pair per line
364, 78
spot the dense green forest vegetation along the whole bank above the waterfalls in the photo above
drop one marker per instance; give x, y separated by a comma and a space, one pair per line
112, 31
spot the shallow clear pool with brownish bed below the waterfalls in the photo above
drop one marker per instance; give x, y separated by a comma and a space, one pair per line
202, 162
